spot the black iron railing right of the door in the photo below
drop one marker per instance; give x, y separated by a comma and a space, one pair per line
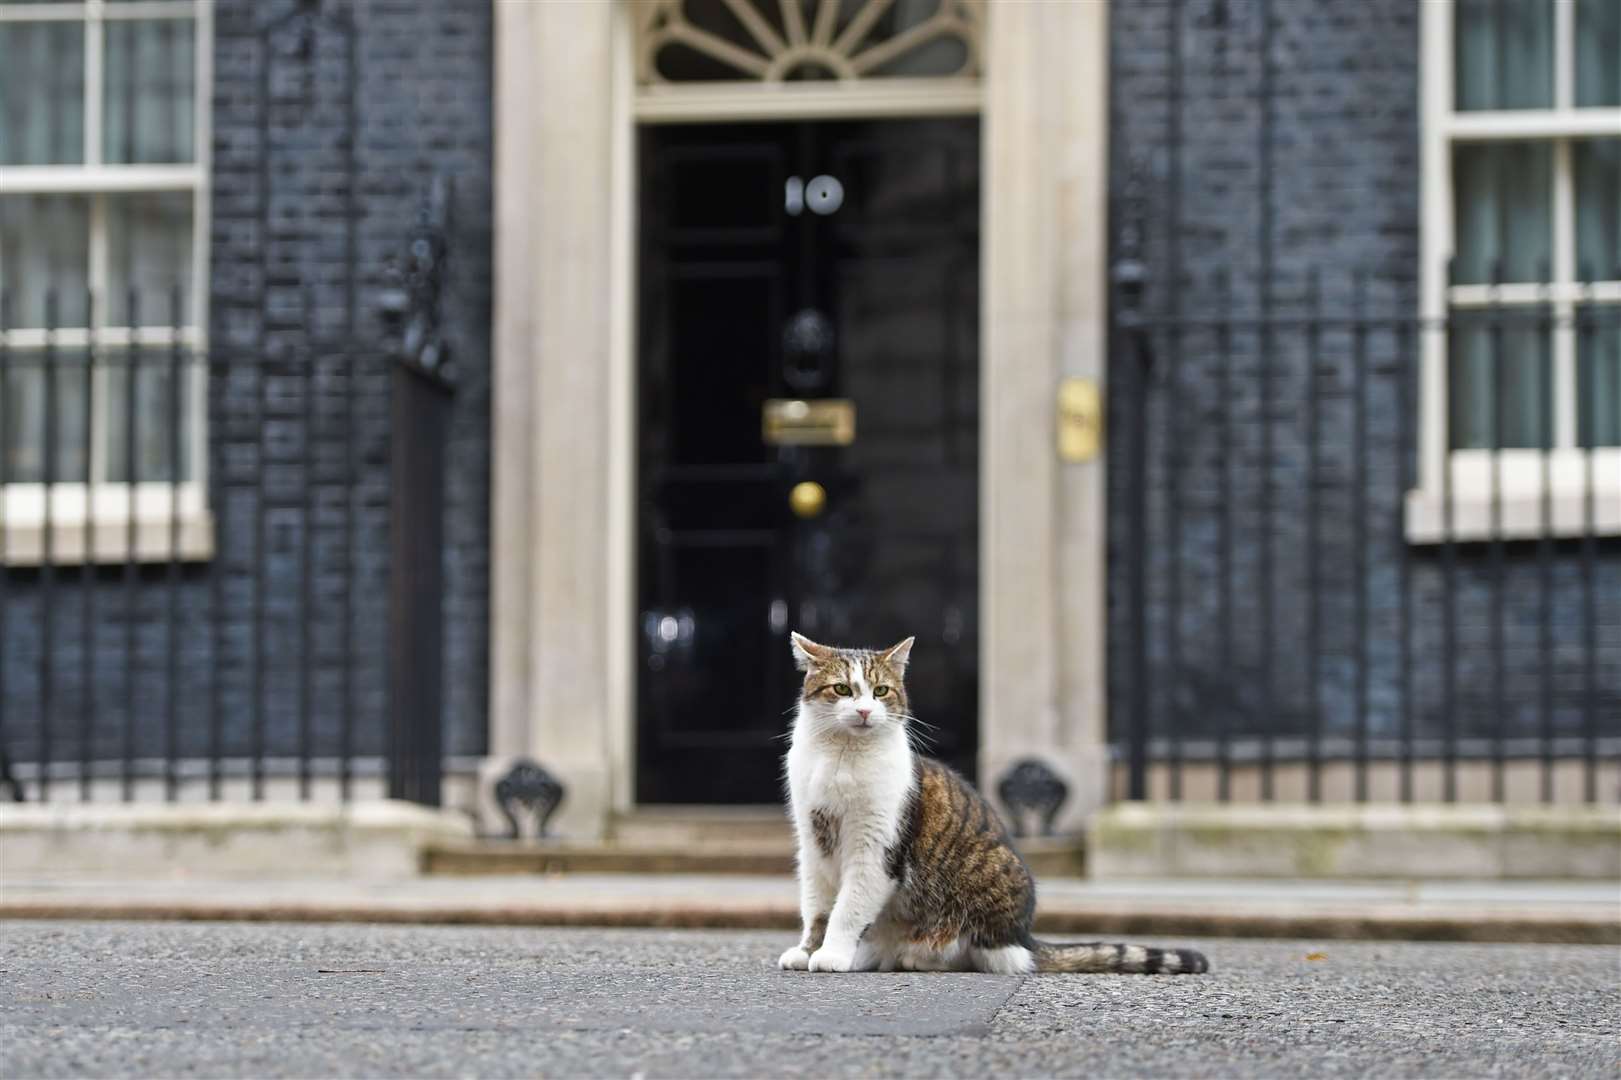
1367, 555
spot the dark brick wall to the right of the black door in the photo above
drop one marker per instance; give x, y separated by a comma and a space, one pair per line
1333, 191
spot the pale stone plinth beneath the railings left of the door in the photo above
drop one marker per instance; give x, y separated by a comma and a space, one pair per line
364, 839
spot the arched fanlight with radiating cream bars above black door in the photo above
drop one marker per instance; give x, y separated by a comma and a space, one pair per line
810, 41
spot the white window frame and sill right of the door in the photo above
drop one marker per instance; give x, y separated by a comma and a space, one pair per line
1525, 479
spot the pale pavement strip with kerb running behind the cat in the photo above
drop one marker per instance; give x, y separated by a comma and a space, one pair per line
1516, 911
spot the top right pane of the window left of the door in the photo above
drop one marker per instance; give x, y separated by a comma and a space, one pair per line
150, 92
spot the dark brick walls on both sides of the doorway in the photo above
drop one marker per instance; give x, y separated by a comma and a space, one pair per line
1341, 197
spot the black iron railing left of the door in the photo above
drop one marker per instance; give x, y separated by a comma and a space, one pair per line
195, 559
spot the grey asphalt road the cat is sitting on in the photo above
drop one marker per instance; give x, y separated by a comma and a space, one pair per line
160, 1000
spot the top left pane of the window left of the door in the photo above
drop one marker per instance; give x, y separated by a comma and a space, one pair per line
43, 93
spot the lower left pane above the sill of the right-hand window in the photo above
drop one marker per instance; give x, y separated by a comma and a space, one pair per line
1515, 361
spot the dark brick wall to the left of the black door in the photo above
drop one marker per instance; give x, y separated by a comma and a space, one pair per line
315, 191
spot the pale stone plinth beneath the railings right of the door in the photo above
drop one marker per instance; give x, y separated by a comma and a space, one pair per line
1479, 842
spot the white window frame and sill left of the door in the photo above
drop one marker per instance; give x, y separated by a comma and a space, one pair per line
98, 521
